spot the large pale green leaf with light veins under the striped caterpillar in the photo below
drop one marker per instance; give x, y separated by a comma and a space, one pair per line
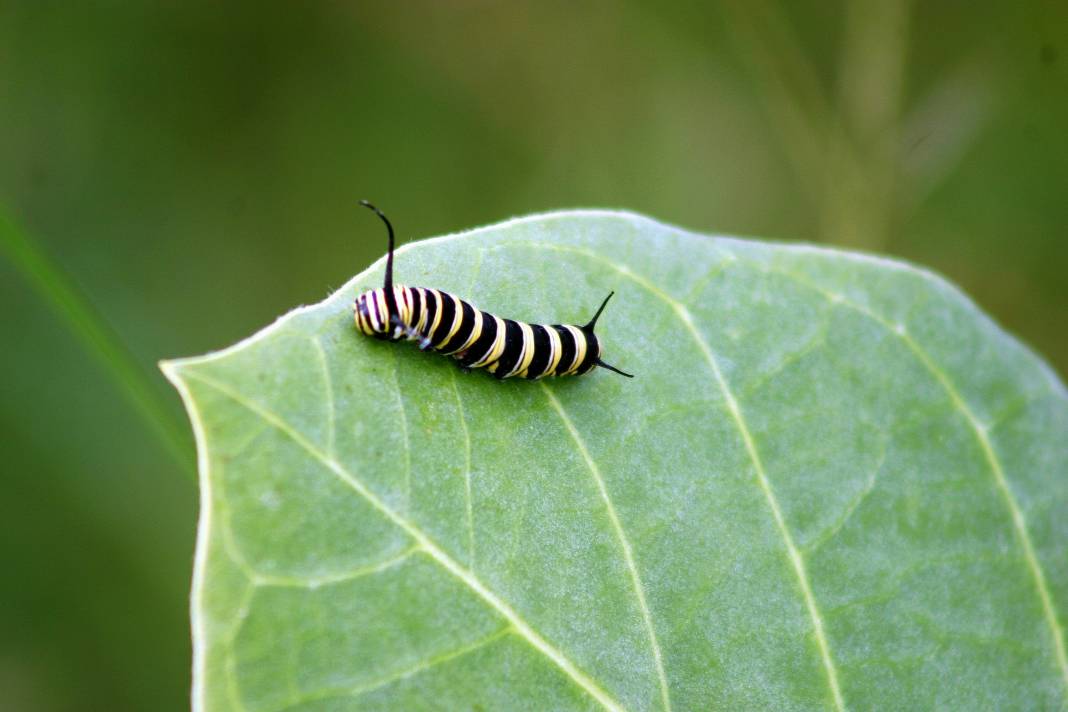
833, 484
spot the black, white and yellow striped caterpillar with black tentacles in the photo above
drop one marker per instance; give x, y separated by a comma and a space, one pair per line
450, 326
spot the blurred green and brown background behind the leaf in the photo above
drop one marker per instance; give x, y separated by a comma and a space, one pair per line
193, 170
